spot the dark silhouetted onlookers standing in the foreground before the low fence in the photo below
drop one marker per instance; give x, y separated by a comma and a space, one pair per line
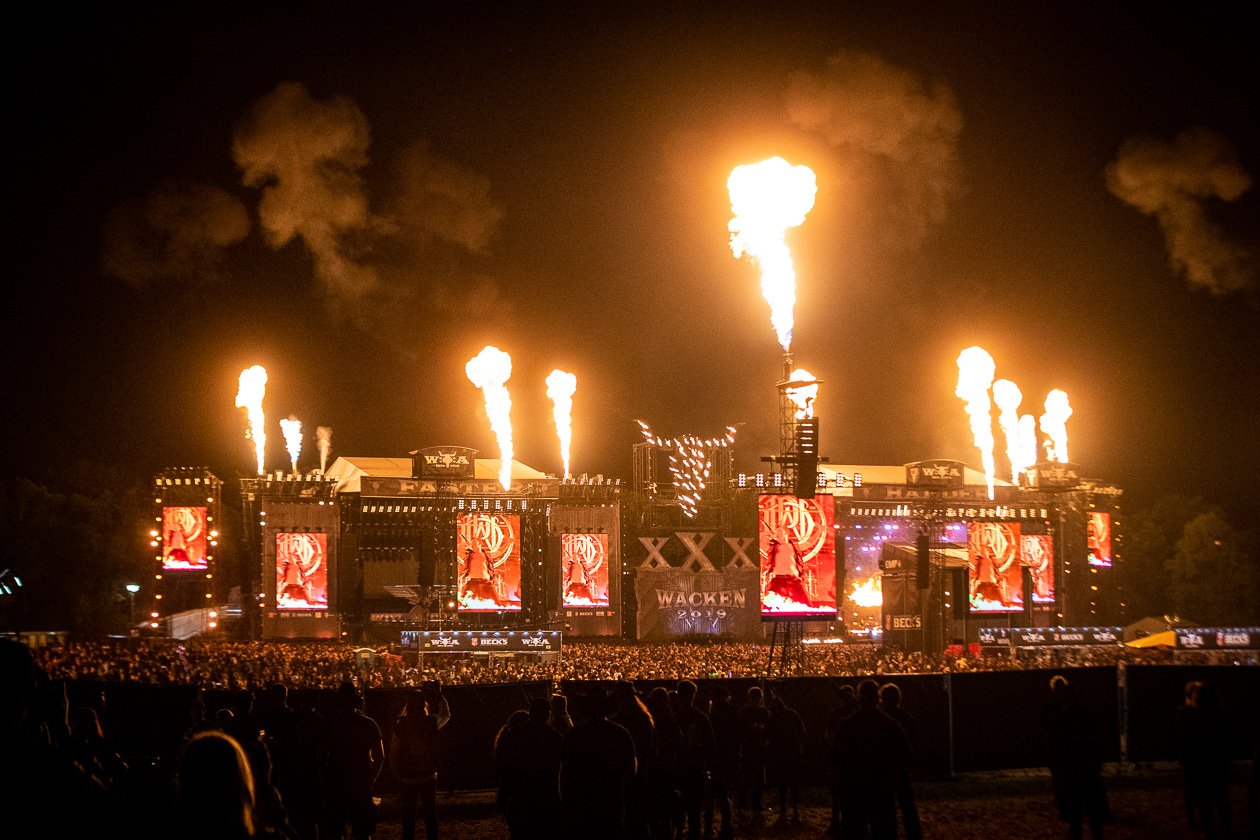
584, 760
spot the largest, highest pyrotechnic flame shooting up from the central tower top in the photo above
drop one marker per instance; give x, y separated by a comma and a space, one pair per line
768, 200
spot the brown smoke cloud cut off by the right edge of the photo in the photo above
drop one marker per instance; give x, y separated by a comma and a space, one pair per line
1174, 182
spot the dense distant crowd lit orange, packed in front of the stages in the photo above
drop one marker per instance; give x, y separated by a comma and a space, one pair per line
239, 666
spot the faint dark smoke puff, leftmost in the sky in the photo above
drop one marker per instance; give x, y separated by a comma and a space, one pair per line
178, 234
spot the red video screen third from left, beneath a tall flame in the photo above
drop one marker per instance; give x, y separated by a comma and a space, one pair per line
490, 562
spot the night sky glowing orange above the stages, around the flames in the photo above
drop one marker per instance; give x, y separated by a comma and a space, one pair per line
361, 200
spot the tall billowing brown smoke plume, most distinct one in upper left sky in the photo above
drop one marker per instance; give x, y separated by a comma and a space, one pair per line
307, 154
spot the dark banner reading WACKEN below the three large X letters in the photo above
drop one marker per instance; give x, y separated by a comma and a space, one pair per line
681, 603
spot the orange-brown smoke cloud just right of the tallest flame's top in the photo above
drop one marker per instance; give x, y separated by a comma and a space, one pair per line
898, 134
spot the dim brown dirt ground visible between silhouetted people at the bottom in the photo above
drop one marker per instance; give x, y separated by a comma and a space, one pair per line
1146, 805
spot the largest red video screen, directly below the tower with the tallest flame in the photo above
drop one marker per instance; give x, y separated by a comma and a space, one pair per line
797, 545
